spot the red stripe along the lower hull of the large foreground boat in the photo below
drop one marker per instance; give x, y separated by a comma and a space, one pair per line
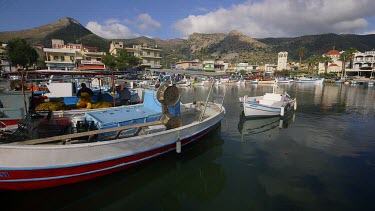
84, 172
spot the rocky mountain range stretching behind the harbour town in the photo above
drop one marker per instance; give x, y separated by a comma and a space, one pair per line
234, 46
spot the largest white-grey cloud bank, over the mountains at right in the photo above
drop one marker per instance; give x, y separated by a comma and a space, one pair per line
275, 18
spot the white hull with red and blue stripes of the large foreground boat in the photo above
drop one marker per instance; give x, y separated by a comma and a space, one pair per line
55, 165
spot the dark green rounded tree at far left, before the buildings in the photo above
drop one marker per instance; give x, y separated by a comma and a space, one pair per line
21, 53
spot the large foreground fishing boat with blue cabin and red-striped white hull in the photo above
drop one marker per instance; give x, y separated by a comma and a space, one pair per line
116, 139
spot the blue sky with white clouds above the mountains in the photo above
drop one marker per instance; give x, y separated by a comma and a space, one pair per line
178, 19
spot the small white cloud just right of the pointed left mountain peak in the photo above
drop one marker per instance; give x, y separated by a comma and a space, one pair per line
111, 30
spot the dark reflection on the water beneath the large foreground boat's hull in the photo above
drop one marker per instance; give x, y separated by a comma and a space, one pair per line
166, 183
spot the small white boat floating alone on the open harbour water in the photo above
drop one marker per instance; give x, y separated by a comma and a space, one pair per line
270, 104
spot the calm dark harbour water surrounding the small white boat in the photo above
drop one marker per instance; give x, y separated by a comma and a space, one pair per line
321, 157
